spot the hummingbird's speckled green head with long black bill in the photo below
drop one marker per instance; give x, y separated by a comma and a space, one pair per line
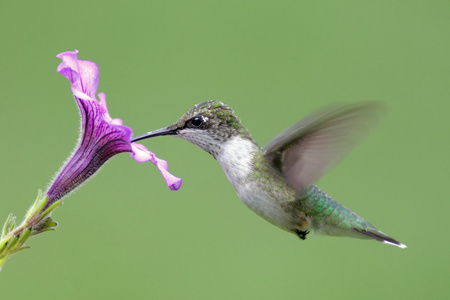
208, 125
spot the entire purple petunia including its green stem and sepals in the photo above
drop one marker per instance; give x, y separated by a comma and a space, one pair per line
101, 137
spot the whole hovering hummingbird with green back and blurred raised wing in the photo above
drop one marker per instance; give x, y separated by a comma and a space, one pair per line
277, 182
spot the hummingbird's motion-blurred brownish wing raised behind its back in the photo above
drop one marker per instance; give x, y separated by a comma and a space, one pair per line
308, 149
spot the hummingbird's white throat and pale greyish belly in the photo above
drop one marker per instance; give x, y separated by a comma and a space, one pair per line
272, 199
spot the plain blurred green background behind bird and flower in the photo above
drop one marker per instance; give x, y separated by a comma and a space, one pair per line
125, 235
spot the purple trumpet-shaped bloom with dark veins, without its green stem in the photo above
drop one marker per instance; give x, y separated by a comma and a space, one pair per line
101, 136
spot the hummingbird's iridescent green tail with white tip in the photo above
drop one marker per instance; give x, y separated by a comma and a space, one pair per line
331, 218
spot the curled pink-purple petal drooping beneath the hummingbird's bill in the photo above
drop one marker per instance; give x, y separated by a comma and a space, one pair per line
141, 154
